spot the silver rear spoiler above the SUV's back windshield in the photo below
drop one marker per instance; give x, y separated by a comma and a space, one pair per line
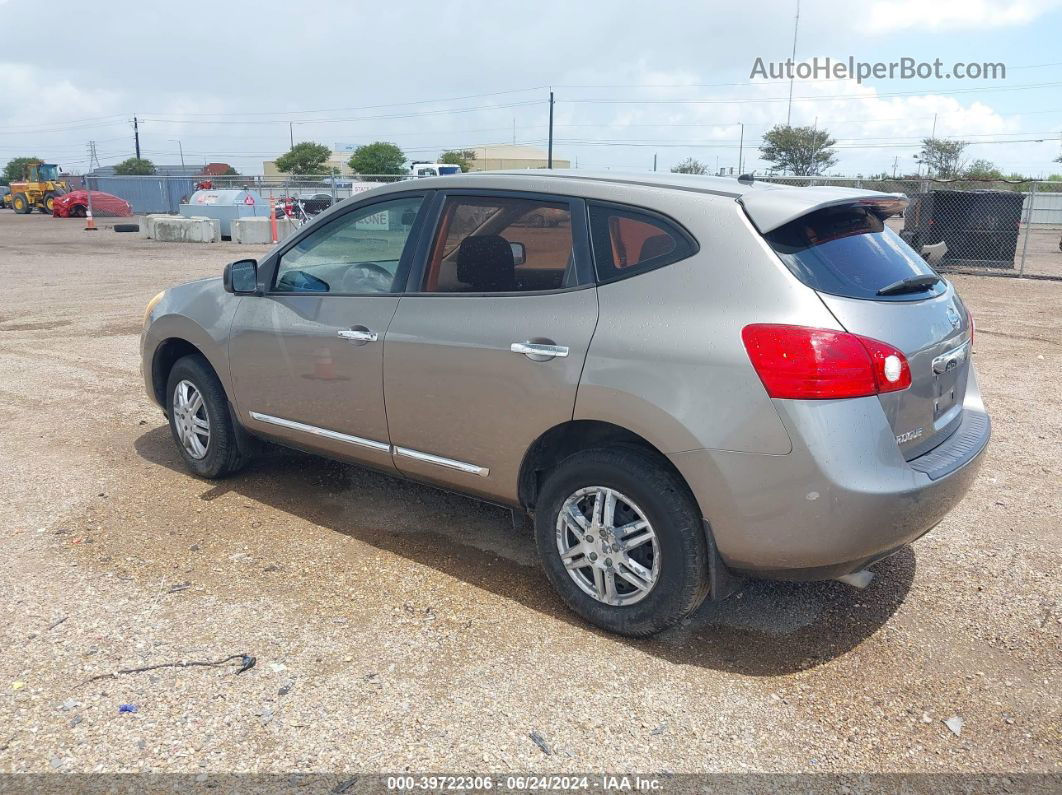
769, 210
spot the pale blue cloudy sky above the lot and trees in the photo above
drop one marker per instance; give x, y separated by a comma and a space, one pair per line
632, 80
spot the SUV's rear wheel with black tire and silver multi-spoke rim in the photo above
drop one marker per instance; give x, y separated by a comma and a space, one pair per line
623, 541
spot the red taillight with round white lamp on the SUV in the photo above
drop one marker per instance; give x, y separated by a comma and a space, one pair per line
816, 365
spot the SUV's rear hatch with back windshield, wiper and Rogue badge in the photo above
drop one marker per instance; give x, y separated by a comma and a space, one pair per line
878, 287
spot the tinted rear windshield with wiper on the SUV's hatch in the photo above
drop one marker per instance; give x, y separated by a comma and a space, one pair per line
850, 252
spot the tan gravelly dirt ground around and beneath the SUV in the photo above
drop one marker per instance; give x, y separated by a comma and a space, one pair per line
398, 628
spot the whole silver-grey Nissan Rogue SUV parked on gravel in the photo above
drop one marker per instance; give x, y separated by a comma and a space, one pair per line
686, 382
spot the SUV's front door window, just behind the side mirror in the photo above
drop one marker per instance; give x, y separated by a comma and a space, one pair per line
357, 253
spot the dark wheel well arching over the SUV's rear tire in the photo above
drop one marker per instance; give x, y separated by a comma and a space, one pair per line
568, 439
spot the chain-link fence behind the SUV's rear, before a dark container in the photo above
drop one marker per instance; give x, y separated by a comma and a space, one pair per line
994, 228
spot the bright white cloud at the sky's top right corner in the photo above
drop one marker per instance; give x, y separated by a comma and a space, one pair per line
887, 16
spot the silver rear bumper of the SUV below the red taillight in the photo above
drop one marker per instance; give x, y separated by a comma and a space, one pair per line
843, 499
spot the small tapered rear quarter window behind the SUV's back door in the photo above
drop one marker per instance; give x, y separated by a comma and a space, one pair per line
628, 243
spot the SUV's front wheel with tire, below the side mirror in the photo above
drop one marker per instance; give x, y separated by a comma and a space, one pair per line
200, 422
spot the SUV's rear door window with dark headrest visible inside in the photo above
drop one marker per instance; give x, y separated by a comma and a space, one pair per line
500, 245
